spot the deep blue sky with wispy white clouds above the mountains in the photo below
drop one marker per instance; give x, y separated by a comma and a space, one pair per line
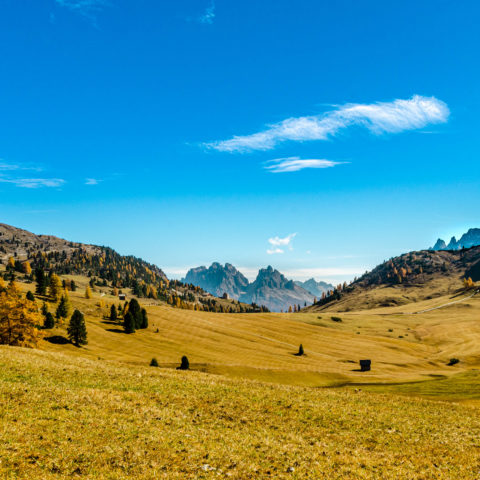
319, 137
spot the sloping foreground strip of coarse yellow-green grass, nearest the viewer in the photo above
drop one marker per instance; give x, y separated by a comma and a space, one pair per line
69, 417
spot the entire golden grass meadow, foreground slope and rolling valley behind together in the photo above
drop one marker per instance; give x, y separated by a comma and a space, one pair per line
249, 408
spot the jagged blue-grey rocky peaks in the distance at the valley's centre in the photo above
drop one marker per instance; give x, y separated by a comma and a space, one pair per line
270, 288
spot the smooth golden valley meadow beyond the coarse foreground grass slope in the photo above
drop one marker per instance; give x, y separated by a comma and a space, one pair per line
402, 347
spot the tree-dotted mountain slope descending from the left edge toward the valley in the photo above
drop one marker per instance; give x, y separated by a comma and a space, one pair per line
43, 258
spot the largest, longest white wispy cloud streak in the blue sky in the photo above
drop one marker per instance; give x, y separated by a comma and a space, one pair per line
381, 117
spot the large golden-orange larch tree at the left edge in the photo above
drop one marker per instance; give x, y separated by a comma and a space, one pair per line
19, 319
